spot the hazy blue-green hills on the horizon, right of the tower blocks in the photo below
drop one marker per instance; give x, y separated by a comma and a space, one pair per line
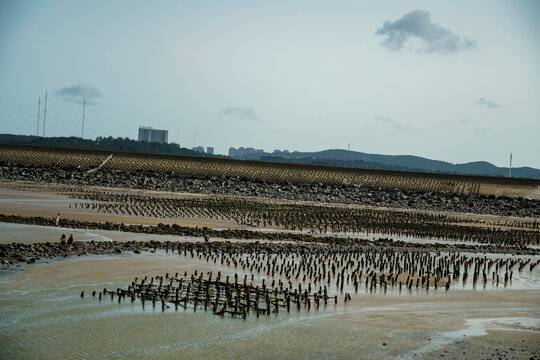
354, 159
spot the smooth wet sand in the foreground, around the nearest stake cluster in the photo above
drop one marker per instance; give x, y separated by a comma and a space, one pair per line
44, 317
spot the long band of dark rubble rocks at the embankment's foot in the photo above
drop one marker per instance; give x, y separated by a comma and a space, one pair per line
437, 199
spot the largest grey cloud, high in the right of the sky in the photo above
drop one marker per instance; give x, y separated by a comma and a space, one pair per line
417, 24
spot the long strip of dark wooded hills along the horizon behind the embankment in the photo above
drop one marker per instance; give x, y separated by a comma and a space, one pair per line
334, 157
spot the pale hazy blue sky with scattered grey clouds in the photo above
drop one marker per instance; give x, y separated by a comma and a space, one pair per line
450, 80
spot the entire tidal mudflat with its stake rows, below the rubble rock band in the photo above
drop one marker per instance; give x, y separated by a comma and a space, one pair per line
278, 278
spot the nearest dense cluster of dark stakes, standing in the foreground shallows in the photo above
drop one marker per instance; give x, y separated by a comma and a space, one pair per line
222, 297
